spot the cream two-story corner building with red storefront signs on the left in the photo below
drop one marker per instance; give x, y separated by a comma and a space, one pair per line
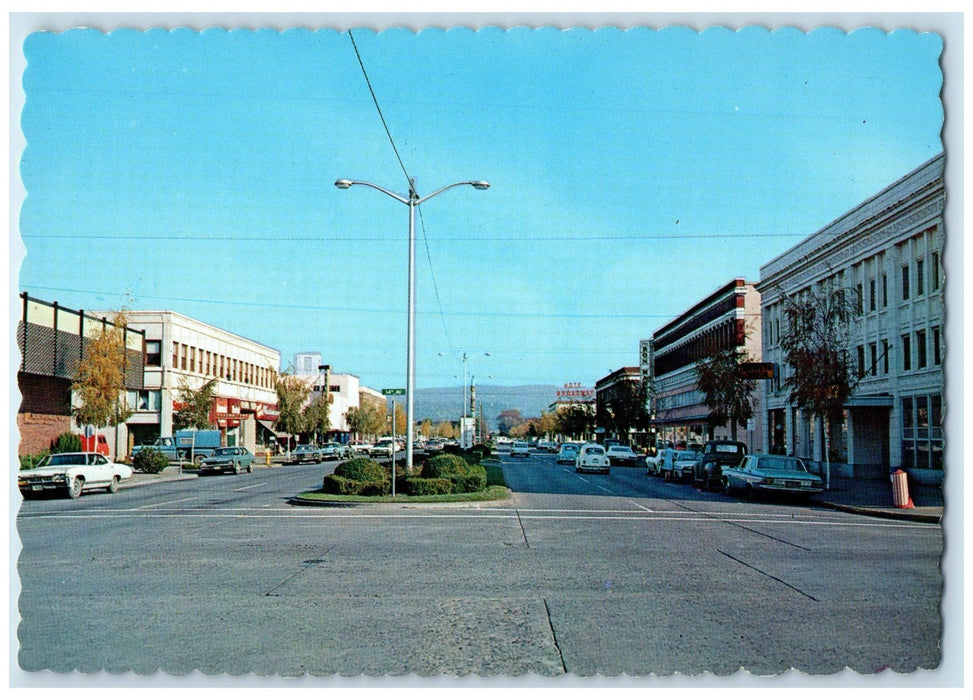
181, 351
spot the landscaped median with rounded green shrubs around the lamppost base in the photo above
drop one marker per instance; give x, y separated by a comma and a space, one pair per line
446, 478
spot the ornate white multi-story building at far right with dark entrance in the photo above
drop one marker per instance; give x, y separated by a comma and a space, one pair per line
889, 251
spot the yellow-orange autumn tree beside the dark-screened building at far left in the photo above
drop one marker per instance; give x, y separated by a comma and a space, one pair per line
100, 379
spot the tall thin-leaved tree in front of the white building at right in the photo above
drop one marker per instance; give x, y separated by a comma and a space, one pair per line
816, 346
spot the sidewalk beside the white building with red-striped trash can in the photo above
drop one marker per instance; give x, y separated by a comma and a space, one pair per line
874, 497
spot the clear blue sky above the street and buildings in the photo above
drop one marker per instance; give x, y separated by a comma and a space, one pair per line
632, 172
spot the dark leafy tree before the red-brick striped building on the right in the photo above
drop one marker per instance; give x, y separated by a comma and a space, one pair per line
728, 396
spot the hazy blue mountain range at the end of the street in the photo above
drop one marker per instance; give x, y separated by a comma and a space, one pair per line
447, 403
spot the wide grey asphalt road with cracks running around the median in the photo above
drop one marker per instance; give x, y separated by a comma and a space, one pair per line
578, 574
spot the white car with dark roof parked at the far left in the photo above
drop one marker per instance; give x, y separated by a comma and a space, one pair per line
72, 472
